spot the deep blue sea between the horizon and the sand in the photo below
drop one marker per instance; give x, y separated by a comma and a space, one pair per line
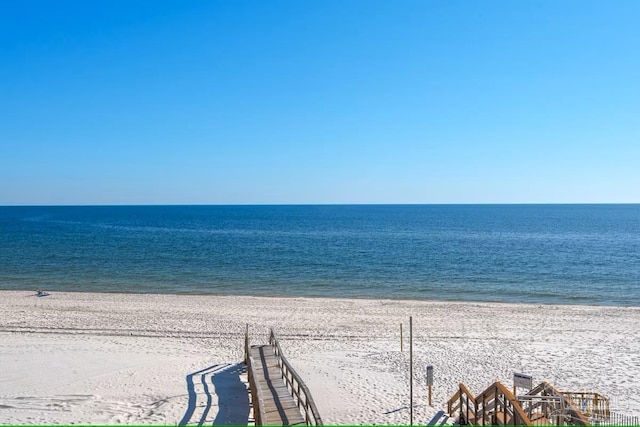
550, 254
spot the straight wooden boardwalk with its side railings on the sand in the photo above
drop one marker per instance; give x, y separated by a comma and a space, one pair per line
278, 394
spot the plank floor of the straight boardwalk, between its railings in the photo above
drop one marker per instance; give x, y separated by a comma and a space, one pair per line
277, 406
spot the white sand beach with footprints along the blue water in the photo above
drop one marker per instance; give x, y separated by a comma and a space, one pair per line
128, 358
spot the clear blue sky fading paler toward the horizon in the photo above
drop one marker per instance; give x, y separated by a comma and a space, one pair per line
154, 102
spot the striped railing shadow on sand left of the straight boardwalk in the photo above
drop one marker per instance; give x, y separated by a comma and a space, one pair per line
224, 381
